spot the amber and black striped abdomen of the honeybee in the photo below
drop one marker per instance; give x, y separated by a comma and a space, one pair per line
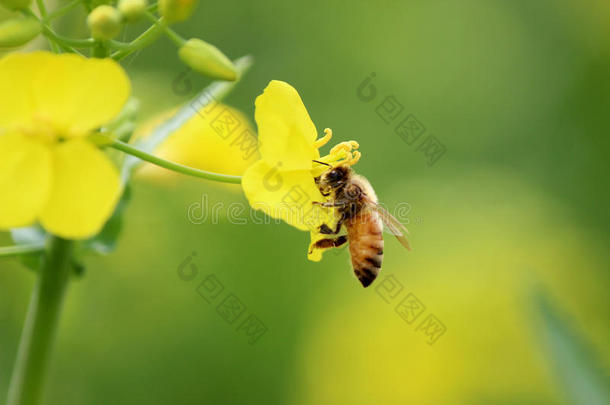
364, 232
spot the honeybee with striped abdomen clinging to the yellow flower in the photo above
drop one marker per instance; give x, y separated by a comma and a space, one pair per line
358, 210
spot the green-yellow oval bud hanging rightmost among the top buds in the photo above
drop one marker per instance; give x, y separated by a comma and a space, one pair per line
207, 59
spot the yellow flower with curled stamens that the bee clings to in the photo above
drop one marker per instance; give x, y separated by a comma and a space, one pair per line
282, 184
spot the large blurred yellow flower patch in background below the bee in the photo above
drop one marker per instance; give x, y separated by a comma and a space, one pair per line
492, 349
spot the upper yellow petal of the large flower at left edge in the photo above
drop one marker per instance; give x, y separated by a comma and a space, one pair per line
67, 92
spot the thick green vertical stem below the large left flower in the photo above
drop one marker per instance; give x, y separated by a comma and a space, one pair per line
40, 324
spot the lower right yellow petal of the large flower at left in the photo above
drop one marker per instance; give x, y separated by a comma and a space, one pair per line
85, 190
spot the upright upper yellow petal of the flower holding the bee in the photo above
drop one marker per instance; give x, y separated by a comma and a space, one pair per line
285, 131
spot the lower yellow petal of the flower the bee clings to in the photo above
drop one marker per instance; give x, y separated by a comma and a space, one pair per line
285, 195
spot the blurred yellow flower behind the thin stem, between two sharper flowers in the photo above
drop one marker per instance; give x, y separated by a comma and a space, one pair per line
218, 138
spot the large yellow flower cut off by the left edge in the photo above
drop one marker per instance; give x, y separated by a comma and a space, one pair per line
49, 171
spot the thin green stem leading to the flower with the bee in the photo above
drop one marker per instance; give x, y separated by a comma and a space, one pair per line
104, 140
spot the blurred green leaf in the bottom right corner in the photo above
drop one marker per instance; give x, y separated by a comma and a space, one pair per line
573, 358
